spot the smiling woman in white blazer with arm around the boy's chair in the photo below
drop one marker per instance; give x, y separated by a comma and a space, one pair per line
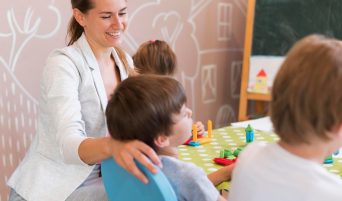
62, 162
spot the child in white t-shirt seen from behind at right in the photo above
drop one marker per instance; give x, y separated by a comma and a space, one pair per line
306, 111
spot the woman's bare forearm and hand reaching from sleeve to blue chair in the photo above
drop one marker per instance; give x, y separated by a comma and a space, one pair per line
93, 150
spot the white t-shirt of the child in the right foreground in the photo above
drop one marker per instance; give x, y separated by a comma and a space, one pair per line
270, 173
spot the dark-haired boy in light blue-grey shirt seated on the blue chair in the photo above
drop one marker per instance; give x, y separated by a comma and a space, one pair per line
151, 108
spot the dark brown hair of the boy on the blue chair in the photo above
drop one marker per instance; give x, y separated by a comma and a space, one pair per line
142, 106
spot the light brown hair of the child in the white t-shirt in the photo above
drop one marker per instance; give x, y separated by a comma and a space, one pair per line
307, 93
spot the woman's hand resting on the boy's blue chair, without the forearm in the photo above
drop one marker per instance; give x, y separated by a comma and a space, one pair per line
124, 154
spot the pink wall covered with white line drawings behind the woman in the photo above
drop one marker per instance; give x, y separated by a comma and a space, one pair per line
207, 36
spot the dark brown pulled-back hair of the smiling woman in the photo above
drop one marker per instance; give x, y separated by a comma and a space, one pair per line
75, 30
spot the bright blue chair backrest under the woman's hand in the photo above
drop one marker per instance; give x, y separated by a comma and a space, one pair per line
121, 185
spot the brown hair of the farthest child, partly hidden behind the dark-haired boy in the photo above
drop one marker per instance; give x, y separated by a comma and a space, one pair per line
155, 57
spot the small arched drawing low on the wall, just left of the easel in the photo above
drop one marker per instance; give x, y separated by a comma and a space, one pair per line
225, 116
